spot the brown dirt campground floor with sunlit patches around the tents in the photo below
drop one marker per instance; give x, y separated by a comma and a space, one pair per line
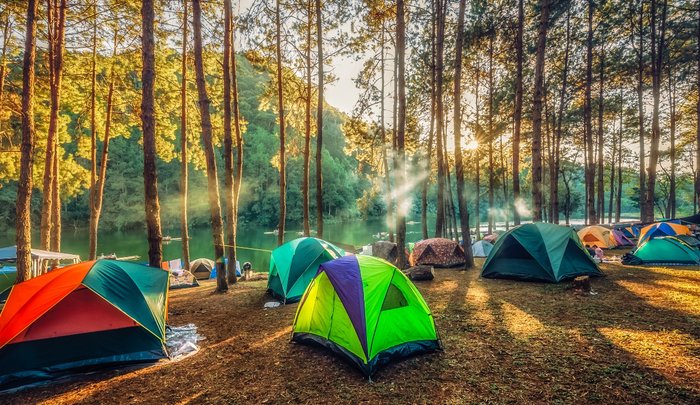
637, 340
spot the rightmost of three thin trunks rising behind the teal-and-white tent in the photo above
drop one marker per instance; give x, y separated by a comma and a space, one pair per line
319, 123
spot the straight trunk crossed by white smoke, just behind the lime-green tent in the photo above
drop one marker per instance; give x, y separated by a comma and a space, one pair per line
400, 168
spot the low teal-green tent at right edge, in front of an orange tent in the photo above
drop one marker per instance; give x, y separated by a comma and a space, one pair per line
667, 250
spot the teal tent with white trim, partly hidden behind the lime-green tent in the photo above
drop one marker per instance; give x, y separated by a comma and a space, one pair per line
294, 264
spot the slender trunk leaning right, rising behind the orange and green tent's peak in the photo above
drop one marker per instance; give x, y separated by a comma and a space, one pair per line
97, 192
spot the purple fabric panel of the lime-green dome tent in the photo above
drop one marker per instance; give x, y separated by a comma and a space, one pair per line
344, 274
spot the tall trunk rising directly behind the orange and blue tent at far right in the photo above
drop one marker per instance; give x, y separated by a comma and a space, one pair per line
657, 52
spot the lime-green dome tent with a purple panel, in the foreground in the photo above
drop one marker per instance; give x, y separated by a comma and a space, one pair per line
366, 311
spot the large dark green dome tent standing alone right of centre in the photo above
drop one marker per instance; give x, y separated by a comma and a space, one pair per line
539, 252
